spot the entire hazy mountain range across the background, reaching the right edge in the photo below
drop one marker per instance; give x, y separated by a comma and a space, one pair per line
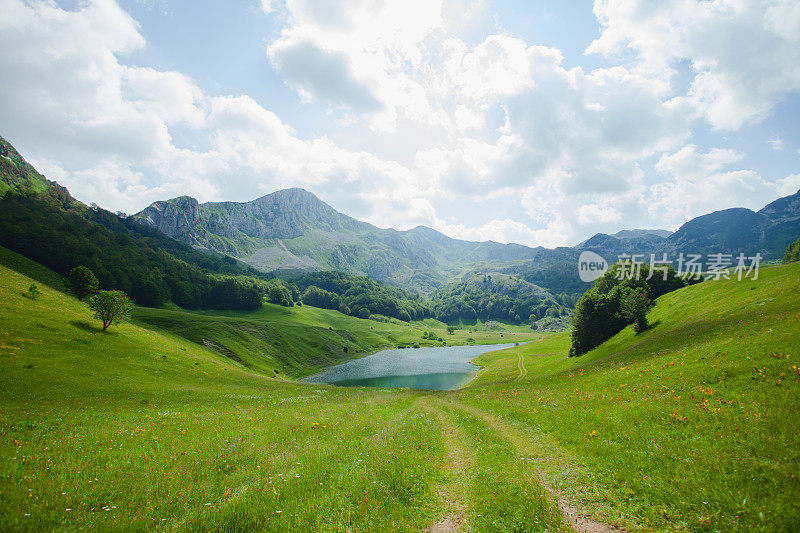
292, 231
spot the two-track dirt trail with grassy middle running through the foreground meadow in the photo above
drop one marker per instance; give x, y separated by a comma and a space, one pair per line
485, 456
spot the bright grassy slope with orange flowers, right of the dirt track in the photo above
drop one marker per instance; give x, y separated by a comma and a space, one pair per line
692, 424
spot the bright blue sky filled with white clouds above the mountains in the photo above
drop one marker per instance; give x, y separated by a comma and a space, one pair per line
540, 123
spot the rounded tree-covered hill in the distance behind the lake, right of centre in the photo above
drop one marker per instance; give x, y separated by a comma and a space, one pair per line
498, 297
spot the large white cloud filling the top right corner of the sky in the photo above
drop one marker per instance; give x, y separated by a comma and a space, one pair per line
743, 54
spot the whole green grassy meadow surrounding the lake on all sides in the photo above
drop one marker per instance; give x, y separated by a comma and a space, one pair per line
691, 425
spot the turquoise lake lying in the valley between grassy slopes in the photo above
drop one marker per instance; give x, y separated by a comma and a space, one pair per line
445, 368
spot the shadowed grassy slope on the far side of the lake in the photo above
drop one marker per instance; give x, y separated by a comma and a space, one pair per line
299, 341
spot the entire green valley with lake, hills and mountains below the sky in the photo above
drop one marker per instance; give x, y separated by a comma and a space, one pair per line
210, 409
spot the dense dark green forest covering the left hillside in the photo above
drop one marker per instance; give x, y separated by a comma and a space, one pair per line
55, 230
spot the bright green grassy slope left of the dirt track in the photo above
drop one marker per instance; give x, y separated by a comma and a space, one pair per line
140, 429
